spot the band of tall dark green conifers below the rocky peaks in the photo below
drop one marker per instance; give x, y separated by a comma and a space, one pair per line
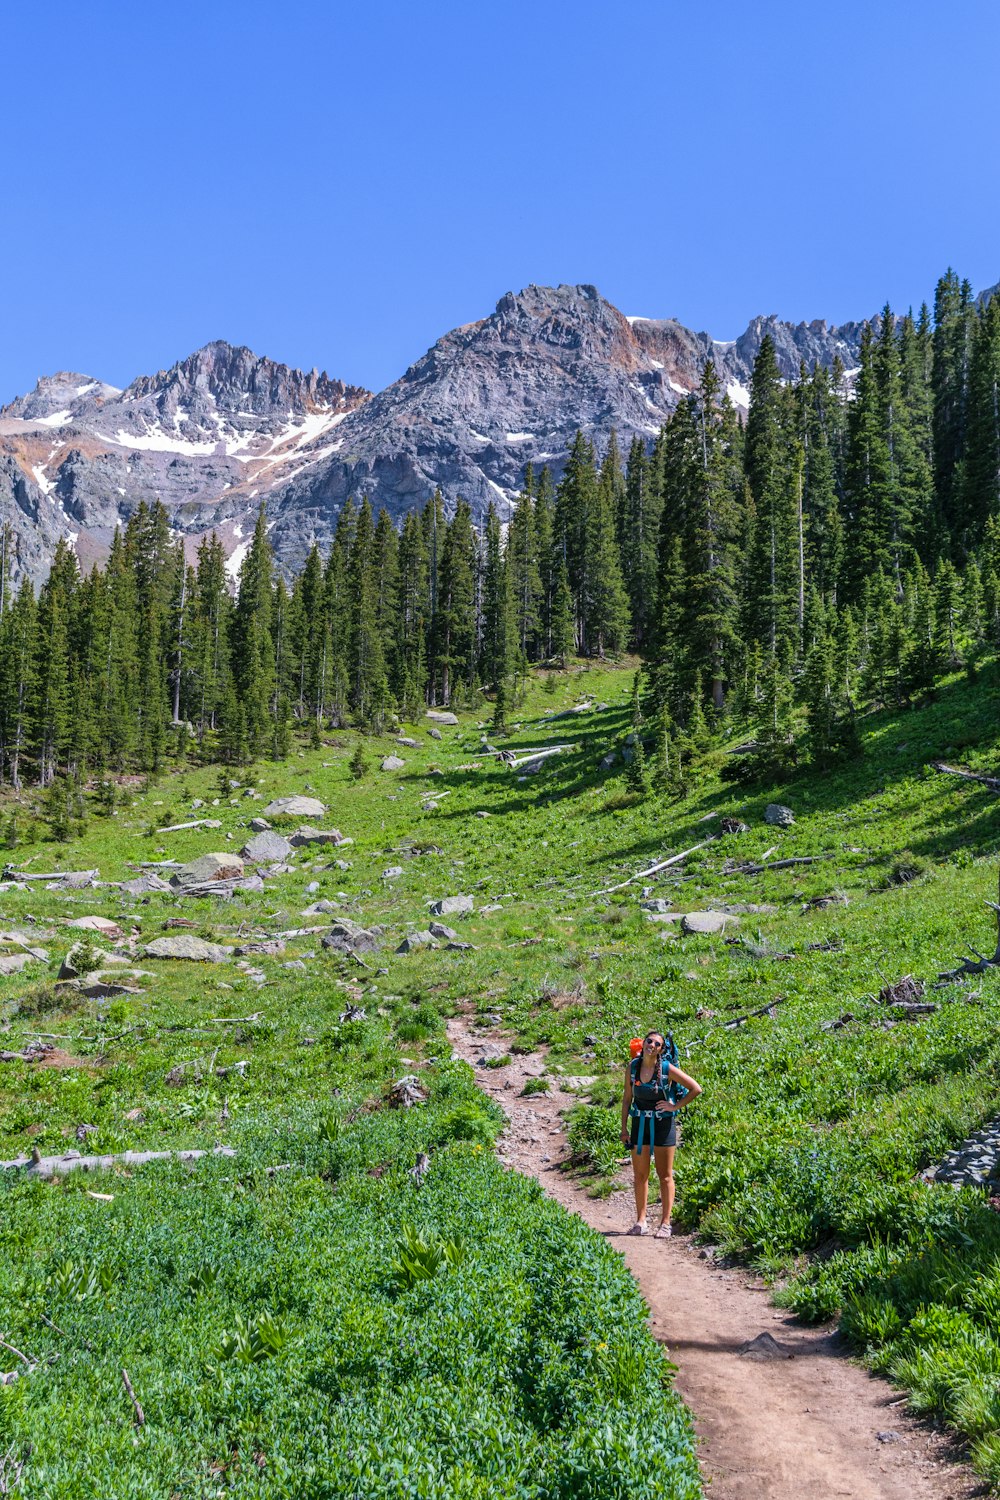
836, 545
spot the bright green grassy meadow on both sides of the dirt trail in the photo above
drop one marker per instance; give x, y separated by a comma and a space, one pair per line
337, 1327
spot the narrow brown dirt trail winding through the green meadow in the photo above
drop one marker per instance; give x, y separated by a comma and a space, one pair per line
771, 1427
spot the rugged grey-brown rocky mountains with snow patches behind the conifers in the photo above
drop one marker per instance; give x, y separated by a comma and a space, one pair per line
224, 430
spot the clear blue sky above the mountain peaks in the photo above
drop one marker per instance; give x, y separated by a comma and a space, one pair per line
338, 185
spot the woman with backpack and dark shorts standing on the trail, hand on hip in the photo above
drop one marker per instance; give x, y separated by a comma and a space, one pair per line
651, 1102
